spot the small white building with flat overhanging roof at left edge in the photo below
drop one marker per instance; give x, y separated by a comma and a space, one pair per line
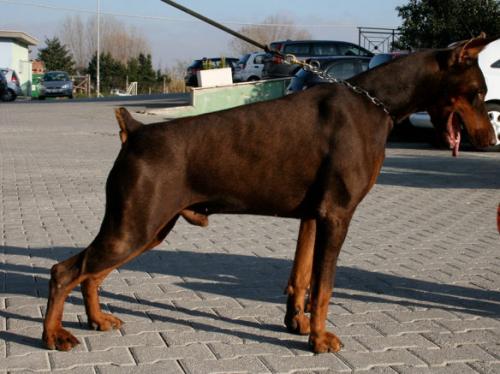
14, 54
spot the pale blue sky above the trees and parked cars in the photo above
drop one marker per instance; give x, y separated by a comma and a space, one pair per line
177, 37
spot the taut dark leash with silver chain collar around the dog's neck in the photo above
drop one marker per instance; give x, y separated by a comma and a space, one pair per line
288, 58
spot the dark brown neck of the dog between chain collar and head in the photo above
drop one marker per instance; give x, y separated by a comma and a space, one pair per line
404, 85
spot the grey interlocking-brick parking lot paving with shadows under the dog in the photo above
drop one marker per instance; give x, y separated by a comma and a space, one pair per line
417, 291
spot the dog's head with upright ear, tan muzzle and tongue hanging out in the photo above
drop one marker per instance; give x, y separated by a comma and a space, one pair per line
461, 98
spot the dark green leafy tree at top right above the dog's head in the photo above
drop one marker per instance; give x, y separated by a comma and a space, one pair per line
437, 23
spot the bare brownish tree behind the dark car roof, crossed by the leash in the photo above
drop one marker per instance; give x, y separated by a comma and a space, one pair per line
273, 28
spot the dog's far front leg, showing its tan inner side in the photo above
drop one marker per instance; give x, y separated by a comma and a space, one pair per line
300, 278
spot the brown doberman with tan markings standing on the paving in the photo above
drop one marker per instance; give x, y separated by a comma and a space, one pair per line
313, 156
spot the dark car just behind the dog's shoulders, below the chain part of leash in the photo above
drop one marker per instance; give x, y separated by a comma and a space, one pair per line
340, 67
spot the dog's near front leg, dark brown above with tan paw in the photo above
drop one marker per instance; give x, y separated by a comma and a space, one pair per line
330, 234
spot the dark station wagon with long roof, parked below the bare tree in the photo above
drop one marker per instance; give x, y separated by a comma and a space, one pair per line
275, 67
